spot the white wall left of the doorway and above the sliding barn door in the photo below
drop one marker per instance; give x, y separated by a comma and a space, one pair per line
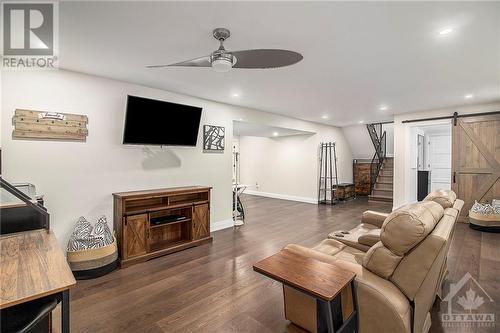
402, 152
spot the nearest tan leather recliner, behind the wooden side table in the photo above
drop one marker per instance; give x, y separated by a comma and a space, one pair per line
397, 279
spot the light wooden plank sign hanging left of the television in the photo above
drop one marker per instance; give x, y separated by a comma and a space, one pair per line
30, 124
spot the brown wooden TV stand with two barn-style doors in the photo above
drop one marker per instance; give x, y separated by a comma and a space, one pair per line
153, 223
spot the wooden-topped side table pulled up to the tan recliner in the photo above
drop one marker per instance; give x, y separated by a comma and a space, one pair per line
324, 282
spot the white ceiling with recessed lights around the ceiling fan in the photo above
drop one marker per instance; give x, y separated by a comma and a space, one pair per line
357, 55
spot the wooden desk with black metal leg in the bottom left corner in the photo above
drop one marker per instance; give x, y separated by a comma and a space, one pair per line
33, 266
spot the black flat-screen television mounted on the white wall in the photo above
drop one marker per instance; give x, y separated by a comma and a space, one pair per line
153, 122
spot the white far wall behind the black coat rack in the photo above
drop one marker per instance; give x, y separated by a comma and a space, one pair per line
287, 167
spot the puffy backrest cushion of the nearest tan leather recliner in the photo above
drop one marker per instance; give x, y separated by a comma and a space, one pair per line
401, 232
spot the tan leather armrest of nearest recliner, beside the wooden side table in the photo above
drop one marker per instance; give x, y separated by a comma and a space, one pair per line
382, 306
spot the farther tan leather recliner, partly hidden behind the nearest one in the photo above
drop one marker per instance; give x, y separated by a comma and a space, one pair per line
367, 233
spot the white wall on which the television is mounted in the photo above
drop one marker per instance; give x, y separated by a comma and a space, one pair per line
78, 178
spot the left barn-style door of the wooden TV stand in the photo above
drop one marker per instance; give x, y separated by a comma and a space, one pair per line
135, 235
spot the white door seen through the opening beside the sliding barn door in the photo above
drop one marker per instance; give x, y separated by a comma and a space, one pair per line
440, 161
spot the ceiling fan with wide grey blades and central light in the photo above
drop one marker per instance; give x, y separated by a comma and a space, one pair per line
222, 60
